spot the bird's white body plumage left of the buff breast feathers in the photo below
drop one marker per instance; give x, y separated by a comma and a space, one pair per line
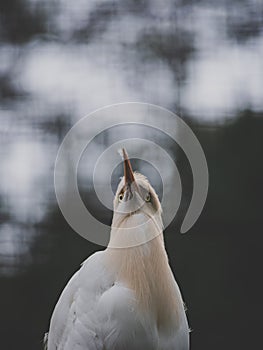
96, 312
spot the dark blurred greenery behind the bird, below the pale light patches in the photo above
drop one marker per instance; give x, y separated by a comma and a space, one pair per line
211, 261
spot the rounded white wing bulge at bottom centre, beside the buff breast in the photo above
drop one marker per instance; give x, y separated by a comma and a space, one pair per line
124, 325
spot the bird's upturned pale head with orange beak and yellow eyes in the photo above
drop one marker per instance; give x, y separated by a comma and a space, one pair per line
137, 209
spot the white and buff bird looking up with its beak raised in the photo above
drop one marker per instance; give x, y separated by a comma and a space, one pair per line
124, 297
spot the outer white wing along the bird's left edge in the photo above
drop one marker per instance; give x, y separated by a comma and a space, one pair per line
72, 325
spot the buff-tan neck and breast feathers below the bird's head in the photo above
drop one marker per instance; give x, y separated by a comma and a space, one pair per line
145, 269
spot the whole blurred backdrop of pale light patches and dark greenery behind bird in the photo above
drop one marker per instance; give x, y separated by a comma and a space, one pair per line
60, 60
